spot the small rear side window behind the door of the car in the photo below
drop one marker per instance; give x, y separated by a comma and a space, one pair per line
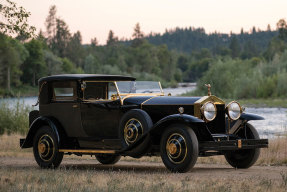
64, 91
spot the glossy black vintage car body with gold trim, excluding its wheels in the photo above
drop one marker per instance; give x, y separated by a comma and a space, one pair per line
94, 124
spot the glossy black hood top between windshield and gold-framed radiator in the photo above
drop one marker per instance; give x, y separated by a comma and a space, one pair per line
159, 100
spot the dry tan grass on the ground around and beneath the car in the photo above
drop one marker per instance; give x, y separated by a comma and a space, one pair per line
91, 178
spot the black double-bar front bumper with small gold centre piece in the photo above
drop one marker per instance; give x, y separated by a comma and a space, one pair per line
233, 144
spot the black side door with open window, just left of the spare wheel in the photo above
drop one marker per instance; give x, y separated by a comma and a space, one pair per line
100, 113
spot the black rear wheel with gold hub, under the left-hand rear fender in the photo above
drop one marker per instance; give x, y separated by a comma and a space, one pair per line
46, 148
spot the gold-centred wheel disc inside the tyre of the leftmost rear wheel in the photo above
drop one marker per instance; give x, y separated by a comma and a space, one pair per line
46, 147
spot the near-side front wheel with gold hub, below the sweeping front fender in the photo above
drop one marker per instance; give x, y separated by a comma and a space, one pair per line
179, 148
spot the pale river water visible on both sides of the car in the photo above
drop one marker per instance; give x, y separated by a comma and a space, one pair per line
275, 123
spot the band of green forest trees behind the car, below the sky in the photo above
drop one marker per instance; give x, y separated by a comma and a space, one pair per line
251, 64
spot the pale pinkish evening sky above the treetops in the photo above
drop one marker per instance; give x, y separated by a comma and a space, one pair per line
94, 18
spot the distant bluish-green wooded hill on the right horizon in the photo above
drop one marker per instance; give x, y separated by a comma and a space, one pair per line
193, 39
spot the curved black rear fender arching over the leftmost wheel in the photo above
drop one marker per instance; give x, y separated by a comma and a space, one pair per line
36, 124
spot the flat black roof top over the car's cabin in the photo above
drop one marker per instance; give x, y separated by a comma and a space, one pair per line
100, 77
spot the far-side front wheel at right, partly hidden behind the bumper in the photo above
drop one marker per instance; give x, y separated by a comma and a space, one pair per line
244, 158
